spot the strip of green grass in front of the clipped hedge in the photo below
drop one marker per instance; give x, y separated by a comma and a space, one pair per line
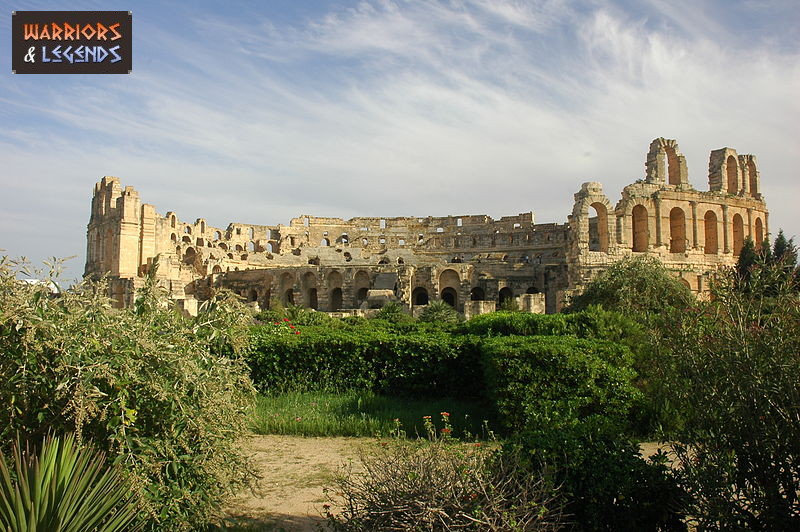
363, 414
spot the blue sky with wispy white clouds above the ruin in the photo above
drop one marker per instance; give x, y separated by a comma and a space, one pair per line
257, 112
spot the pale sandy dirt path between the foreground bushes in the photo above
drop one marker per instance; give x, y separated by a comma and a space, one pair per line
294, 471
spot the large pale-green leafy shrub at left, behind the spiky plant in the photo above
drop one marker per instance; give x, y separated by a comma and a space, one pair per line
146, 385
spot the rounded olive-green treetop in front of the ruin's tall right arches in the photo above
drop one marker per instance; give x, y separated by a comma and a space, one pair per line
638, 287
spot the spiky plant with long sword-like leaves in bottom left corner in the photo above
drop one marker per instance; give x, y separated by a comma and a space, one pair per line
65, 488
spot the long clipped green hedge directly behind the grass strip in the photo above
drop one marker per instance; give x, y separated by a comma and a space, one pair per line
369, 356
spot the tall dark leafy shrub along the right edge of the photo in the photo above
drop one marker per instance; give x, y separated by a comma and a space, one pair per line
731, 370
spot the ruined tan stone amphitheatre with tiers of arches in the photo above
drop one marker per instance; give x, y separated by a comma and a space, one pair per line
472, 262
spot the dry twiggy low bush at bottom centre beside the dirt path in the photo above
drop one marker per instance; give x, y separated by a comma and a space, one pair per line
444, 485
